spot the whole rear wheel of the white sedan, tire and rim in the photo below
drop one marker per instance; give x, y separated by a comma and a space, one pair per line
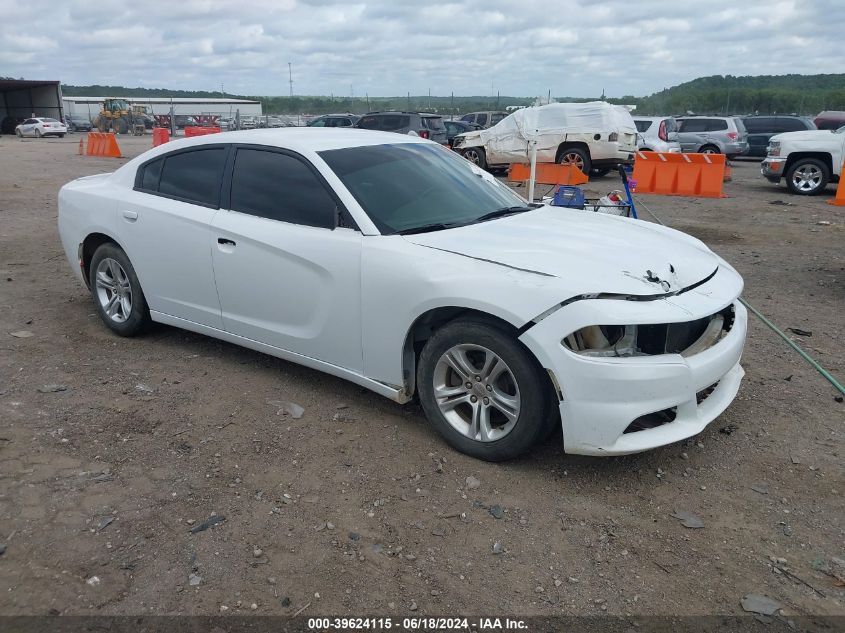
122, 306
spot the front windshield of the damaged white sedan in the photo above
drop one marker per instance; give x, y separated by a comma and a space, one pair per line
412, 185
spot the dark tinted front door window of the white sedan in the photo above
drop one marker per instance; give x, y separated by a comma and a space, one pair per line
280, 187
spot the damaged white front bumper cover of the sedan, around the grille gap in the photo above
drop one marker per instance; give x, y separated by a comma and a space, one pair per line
622, 405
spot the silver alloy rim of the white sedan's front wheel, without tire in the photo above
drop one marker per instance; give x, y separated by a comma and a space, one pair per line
476, 392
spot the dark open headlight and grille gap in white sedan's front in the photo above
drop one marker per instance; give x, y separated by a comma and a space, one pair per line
619, 341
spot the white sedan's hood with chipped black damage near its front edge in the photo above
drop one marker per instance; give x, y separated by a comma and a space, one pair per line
591, 252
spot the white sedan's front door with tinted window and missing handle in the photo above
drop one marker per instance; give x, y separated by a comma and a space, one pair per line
287, 275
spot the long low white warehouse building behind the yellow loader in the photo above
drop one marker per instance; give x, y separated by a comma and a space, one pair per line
89, 107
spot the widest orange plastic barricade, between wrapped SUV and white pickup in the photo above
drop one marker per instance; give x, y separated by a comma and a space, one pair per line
696, 175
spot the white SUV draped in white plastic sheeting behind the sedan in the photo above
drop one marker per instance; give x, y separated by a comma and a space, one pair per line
594, 136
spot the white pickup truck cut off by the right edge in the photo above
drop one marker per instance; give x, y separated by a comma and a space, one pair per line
809, 160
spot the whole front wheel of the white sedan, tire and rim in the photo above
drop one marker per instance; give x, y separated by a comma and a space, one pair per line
448, 363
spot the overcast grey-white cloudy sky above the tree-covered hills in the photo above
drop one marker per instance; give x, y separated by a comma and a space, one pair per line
390, 47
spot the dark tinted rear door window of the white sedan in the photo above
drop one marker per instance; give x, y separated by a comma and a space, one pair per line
194, 175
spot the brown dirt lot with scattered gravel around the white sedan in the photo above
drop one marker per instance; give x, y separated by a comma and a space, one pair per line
357, 507
